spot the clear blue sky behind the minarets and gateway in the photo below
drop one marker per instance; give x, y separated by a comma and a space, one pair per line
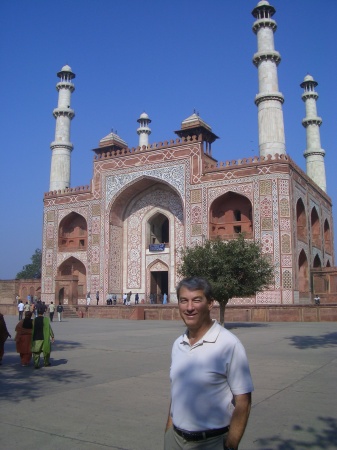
162, 57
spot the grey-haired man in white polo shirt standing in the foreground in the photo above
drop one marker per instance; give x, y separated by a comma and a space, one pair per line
211, 383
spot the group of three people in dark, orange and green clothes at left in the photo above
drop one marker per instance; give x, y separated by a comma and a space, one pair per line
32, 338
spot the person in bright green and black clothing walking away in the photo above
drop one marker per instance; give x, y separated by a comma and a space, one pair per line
43, 335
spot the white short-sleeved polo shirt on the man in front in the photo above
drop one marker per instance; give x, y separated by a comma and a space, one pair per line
204, 378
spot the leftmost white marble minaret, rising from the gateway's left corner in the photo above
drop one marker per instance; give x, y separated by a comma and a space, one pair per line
61, 147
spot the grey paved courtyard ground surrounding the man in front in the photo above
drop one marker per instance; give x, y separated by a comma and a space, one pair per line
108, 387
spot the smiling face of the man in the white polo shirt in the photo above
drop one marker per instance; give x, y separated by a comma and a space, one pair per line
194, 308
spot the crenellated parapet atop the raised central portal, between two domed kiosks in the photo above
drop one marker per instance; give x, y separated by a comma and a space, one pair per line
150, 147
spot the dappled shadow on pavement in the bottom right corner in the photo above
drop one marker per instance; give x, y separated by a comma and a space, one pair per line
324, 438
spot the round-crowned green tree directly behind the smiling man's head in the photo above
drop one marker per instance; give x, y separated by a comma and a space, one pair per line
235, 268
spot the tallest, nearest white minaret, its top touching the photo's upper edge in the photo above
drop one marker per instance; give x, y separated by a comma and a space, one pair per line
269, 100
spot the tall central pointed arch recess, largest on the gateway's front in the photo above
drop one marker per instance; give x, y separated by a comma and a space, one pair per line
143, 203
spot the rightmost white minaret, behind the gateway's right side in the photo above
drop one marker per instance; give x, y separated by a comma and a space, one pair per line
314, 154
